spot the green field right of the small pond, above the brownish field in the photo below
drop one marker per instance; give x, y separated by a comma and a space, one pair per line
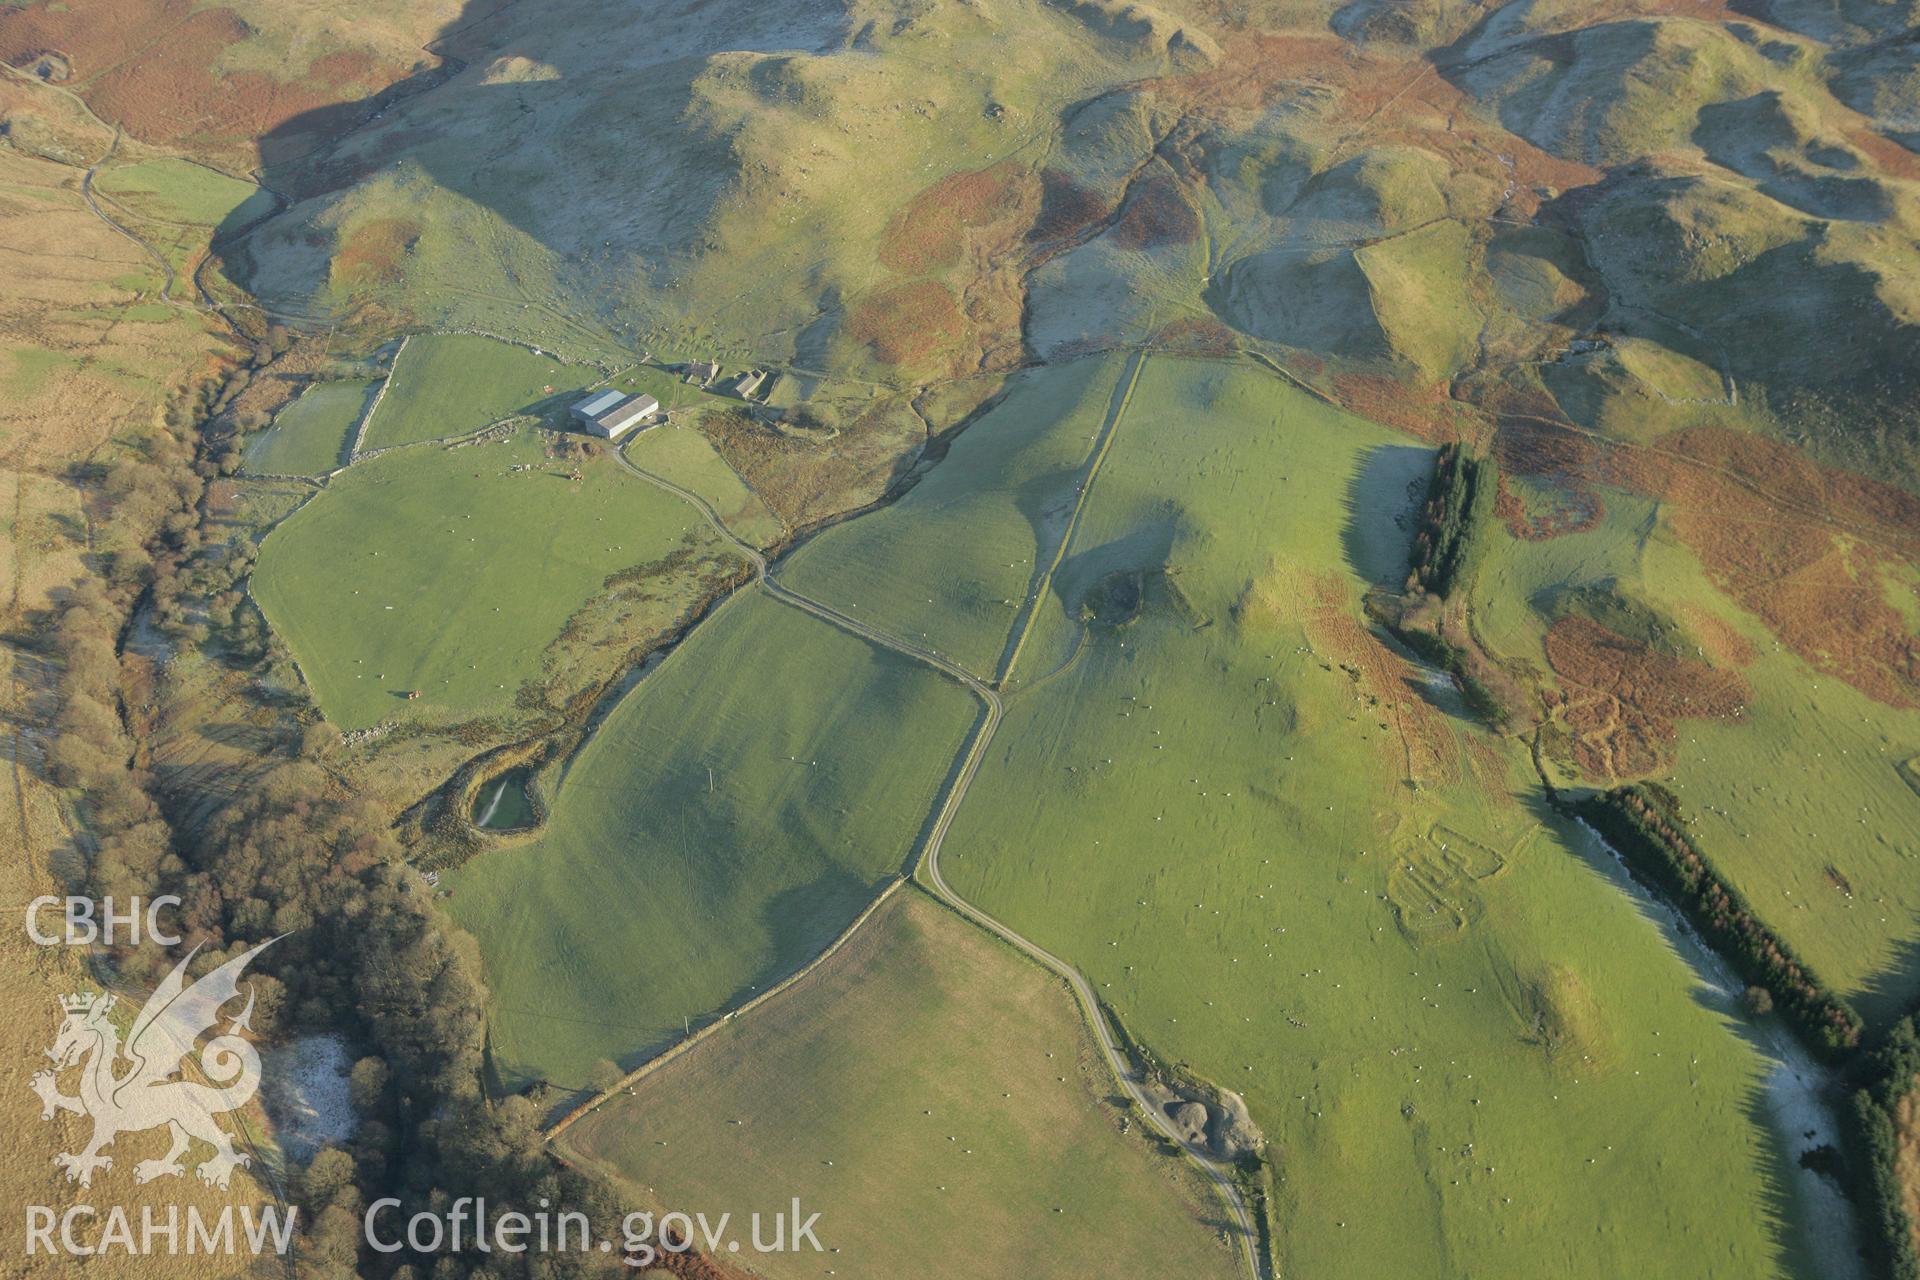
713, 836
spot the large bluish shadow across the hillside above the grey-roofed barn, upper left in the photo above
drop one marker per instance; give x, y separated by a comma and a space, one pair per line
594, 72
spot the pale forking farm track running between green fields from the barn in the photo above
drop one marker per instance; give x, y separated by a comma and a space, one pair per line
928, 865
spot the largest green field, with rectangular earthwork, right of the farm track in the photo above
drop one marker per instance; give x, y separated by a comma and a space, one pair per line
1472, 1051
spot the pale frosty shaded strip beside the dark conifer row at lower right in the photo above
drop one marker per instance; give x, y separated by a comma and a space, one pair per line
1800, 1093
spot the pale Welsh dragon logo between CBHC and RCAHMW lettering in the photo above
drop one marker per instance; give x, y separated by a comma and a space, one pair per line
147, 1093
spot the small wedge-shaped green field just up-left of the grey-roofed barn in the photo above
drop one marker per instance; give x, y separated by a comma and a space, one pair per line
450, 385
